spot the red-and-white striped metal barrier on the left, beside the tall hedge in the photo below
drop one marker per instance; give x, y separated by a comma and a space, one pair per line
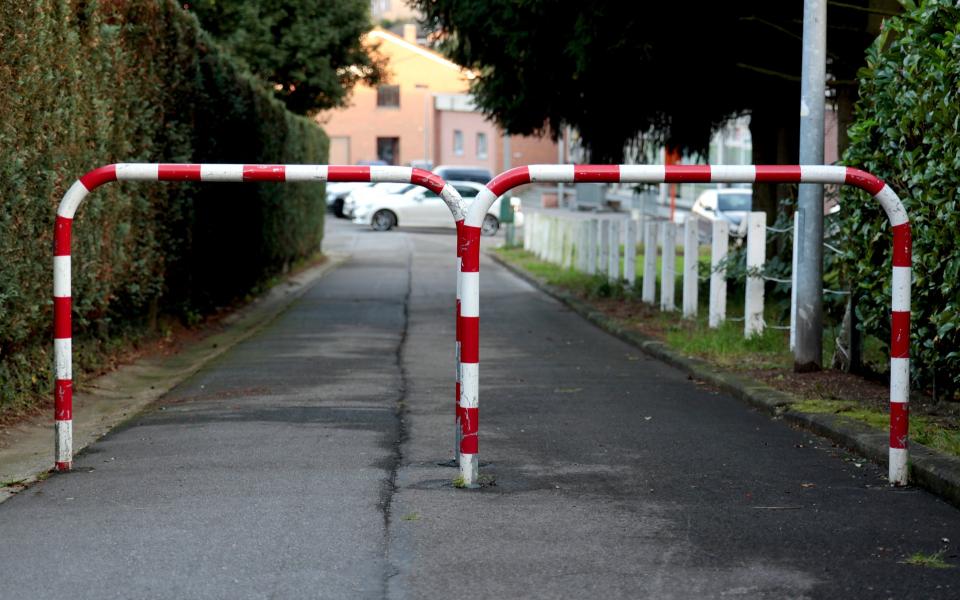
62, 327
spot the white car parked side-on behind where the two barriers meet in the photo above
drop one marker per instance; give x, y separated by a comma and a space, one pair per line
414, 206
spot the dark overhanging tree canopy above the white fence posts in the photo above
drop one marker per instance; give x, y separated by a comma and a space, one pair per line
617, 70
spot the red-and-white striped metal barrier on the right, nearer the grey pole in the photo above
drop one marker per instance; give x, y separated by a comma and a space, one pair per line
502, 183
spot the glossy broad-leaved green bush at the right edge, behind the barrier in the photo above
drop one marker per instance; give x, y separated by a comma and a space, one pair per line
908, 132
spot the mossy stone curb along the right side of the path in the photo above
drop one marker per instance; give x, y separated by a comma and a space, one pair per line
928, 469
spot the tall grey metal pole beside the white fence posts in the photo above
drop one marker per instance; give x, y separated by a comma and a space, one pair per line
808, 279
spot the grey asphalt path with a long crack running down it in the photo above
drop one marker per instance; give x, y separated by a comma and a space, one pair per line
302, 463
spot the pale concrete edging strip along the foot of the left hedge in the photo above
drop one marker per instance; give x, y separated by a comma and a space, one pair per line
120, 395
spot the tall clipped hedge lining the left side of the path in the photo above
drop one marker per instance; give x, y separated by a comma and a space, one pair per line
87, 84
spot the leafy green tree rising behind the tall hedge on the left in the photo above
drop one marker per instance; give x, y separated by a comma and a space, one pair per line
308, 51
